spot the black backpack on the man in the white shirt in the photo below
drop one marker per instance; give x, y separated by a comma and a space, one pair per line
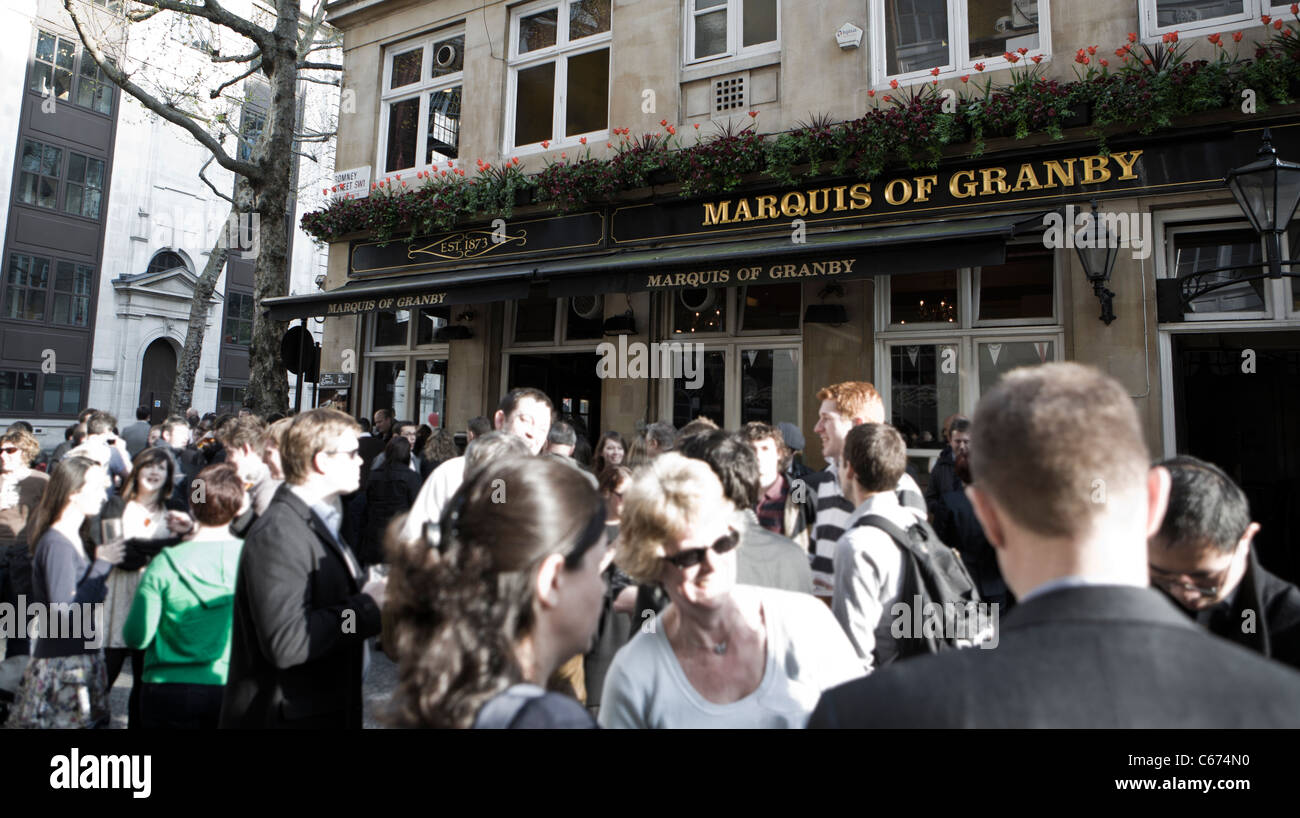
943, 608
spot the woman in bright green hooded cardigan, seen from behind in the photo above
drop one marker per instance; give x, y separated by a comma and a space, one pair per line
183, 611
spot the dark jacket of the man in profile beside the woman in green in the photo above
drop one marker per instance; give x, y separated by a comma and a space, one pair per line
301, 620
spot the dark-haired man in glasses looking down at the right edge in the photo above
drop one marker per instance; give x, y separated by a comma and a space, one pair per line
1203, 560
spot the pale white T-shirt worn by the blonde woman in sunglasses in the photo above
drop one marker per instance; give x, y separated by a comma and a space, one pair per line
807, 655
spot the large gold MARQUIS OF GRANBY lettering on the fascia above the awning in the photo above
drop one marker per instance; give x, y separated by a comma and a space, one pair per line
902, 192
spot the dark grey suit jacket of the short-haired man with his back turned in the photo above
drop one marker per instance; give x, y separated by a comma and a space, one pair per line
1080, 657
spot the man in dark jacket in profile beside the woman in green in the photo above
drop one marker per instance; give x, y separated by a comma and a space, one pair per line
304, 609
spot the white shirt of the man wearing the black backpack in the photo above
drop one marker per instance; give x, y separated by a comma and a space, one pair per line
869, 573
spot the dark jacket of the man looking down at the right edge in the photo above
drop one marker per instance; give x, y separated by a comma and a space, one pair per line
1262, 616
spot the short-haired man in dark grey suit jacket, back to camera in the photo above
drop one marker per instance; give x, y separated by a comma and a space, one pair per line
1090, 644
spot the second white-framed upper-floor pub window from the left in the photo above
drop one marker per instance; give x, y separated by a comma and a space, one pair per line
560, 73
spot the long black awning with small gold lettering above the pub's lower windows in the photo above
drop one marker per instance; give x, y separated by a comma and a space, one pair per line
843, 254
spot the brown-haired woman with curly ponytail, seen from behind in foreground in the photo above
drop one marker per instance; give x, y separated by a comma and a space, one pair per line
509, 594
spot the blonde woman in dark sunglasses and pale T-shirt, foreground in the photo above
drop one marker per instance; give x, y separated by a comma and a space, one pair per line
721, 655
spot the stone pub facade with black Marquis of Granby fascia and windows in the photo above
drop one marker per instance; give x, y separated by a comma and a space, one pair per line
930, 282
